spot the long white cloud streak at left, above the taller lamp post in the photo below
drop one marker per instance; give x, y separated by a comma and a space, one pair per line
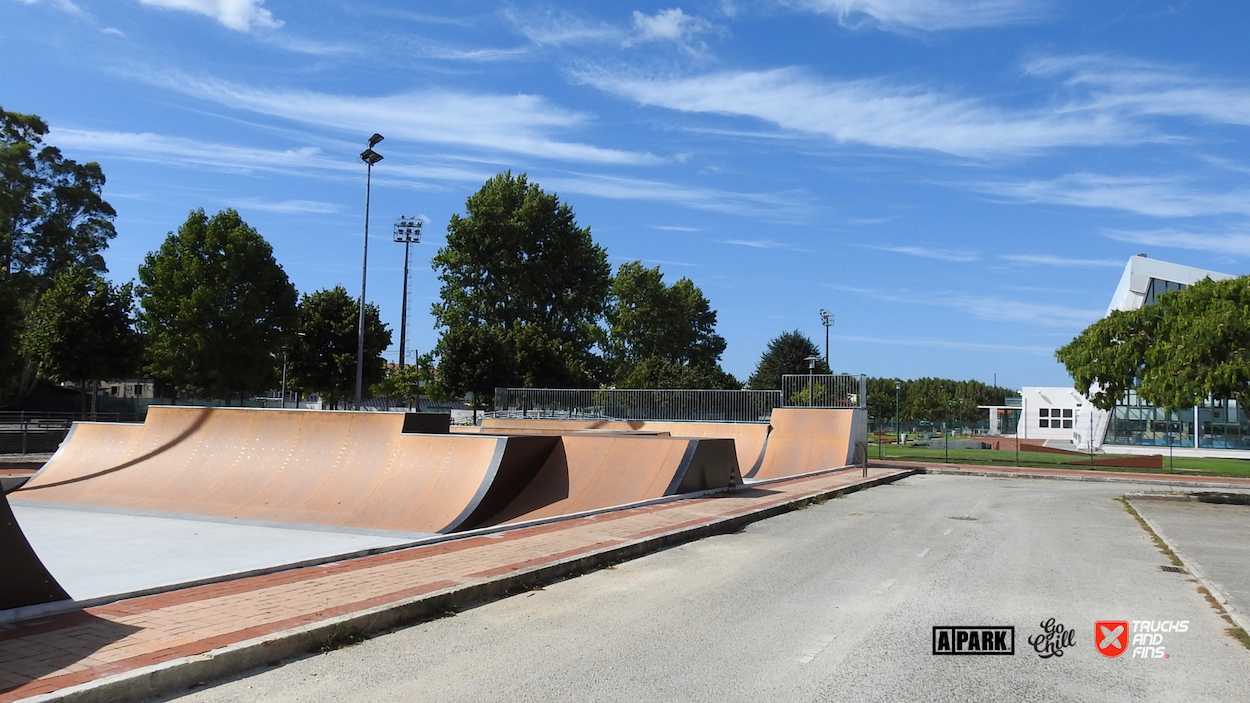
516, 124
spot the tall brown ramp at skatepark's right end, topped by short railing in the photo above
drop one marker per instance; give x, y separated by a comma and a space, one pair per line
808, 440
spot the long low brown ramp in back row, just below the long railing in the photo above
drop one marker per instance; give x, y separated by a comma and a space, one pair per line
749, 438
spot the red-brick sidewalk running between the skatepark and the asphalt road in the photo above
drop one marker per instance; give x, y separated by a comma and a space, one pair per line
144, 646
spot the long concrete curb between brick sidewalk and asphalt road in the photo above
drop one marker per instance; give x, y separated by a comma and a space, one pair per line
181, 674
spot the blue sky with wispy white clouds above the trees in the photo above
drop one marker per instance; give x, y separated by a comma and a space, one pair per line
959, 182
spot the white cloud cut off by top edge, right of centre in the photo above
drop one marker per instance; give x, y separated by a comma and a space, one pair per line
929, 16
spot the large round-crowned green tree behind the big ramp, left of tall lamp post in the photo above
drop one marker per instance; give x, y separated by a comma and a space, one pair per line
217, 308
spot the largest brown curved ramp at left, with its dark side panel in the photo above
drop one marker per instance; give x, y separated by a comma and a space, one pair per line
319, 468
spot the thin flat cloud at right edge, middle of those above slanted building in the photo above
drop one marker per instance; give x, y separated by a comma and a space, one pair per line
1144, 196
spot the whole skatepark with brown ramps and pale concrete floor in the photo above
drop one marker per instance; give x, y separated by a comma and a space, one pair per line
201, 495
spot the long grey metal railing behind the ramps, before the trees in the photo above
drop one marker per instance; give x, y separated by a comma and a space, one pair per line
636, 405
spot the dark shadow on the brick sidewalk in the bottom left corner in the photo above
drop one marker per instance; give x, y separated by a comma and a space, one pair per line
91, 635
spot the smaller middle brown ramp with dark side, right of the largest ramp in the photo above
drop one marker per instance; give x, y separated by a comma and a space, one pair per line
589, 472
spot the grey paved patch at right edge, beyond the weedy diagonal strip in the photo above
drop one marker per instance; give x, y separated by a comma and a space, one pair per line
1213, 539
